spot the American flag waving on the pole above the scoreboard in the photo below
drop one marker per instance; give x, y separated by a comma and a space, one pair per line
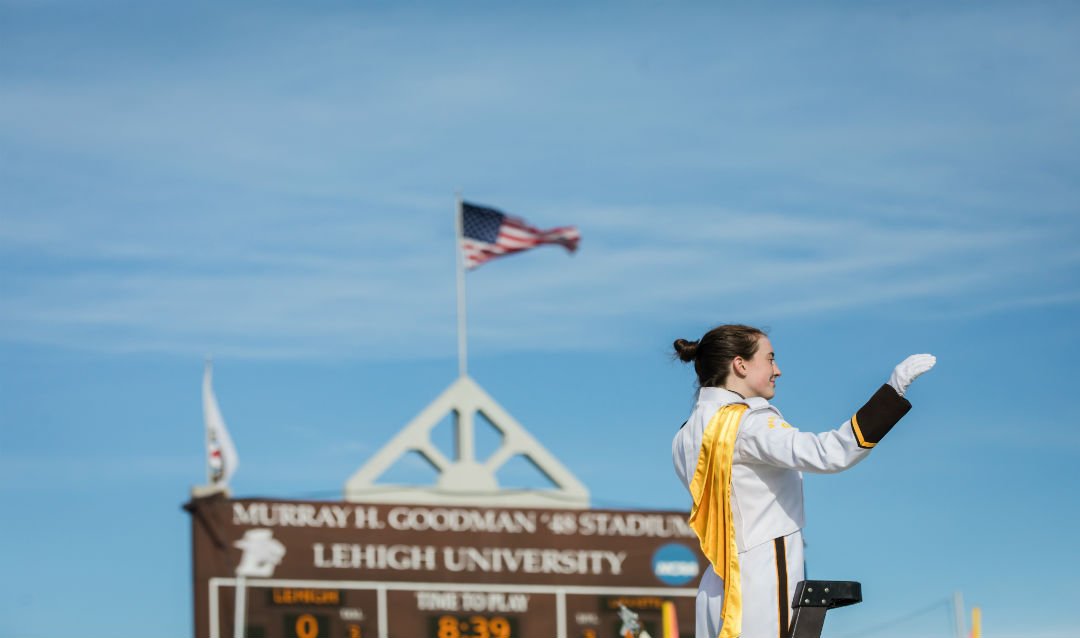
488, 234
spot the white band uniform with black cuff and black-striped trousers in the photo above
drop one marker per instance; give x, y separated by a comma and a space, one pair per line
766, 498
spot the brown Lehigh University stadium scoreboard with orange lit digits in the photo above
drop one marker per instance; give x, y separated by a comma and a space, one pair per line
316, 569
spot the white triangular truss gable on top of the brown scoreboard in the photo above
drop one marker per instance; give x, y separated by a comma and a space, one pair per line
466, 481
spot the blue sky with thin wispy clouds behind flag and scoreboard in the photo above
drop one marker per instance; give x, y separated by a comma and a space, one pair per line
273, 184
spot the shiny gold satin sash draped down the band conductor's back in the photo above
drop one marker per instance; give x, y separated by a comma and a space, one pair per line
711, 519
